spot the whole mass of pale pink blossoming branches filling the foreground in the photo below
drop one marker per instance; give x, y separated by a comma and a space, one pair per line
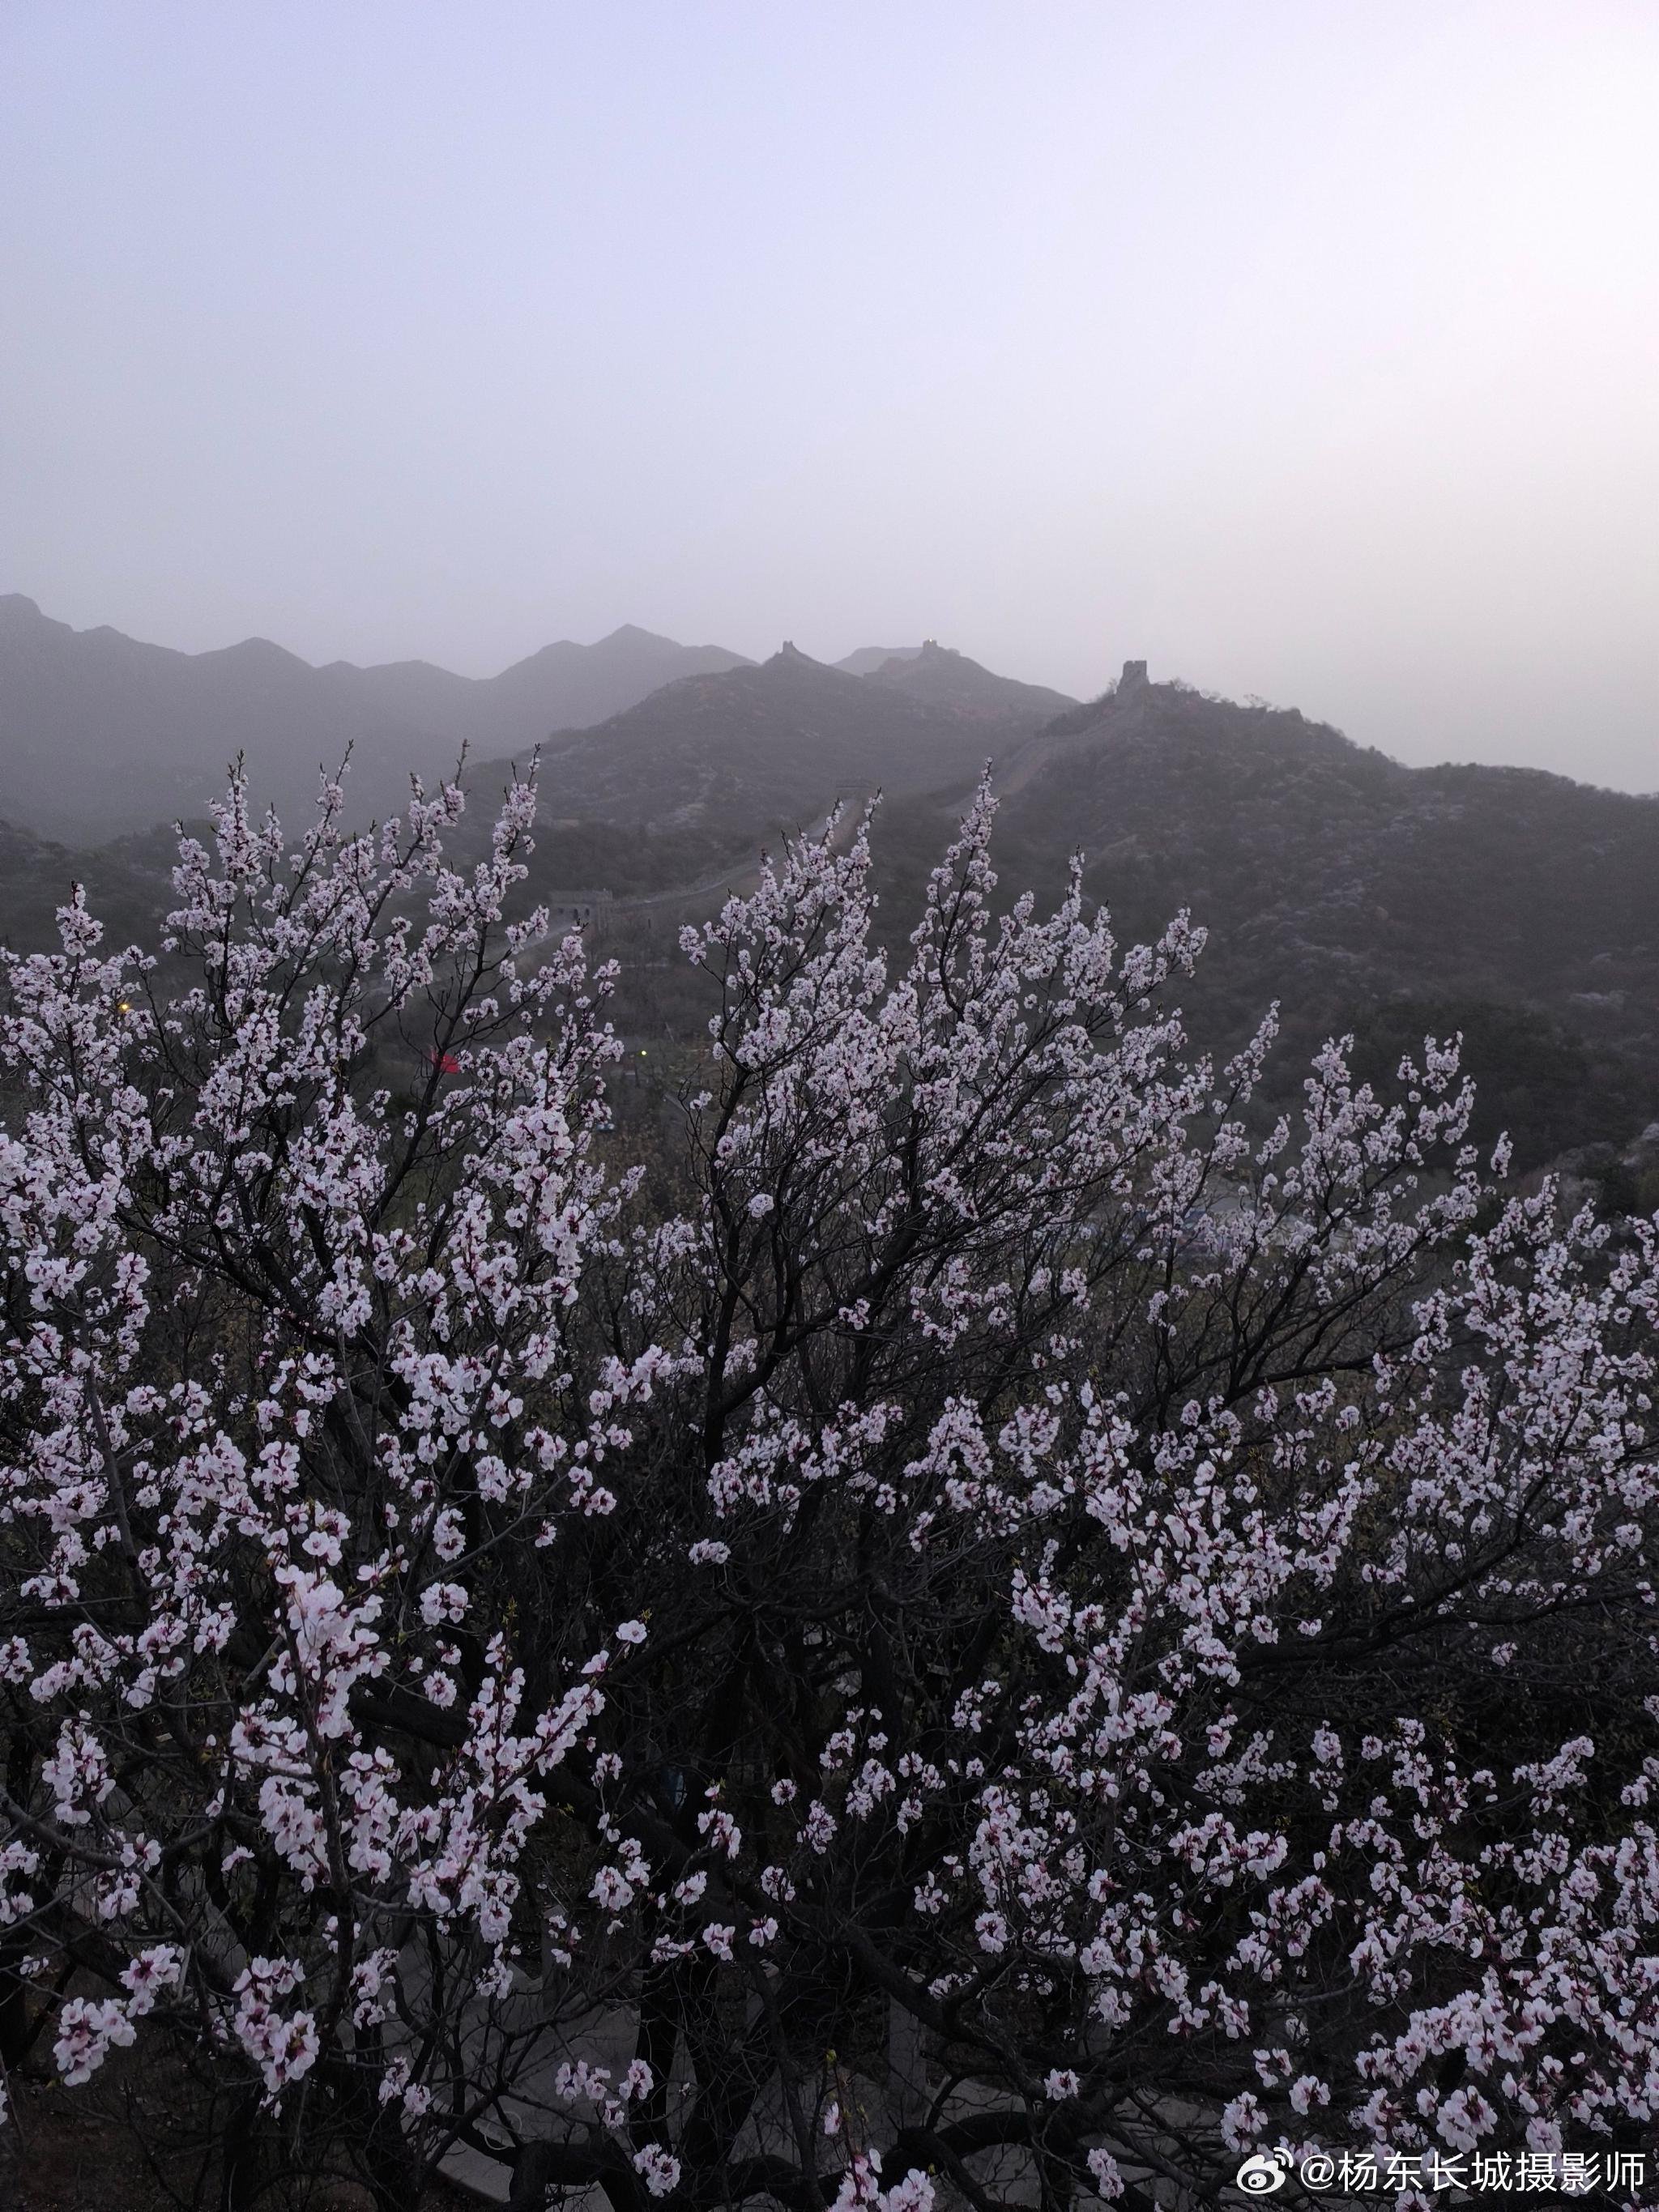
1045, 1634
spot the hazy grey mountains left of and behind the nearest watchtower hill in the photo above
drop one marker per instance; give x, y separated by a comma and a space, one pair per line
103, 735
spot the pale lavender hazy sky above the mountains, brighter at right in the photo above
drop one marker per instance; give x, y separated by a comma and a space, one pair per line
1308, 351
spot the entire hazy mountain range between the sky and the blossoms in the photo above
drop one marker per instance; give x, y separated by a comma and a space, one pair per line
1510, 904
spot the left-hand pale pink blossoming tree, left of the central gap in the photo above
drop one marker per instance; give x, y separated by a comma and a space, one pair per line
267, 1370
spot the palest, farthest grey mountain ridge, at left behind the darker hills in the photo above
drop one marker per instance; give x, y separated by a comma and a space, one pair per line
103, 733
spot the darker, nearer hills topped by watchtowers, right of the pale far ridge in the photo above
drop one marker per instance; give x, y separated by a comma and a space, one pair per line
1361, 895
